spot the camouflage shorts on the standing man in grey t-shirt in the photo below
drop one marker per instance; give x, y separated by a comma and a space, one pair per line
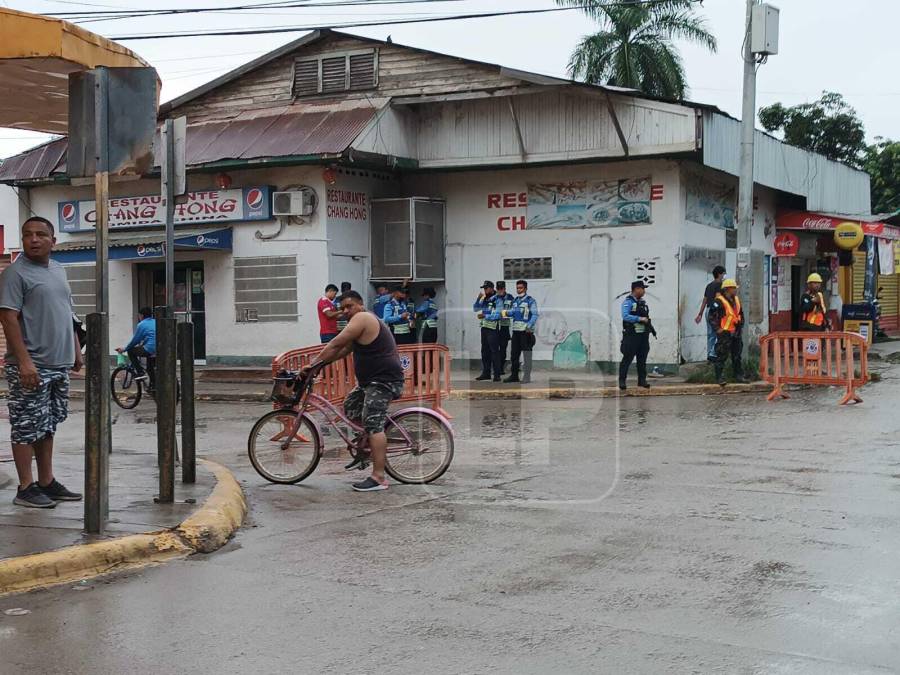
35, 413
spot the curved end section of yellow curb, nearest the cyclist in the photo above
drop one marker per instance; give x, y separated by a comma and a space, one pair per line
210, 526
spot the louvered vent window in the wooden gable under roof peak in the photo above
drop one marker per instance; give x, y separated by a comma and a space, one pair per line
336, 72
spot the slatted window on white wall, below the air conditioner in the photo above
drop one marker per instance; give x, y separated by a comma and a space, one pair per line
265, 289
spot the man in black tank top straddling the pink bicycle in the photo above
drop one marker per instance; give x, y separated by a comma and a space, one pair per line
379, 379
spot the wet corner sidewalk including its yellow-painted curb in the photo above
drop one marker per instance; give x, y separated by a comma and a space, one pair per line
39, 547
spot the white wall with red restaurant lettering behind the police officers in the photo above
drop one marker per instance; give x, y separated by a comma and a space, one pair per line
591, 267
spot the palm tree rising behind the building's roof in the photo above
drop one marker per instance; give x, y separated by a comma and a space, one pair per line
634, 47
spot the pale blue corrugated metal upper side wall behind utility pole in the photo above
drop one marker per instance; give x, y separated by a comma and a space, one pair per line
828, 186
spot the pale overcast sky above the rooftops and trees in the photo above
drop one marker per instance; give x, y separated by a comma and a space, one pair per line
848, 47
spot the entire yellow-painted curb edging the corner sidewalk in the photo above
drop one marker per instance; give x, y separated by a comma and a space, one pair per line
204, 531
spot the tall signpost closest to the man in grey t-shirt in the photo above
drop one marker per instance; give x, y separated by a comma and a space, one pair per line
98, 426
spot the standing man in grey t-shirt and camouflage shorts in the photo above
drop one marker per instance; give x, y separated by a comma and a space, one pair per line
36, 314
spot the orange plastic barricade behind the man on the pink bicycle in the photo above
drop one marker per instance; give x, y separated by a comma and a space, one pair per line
426, 371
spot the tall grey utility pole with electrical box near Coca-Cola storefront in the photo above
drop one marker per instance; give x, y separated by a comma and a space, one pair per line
745, 184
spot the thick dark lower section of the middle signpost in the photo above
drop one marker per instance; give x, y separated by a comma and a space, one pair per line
165, 406
